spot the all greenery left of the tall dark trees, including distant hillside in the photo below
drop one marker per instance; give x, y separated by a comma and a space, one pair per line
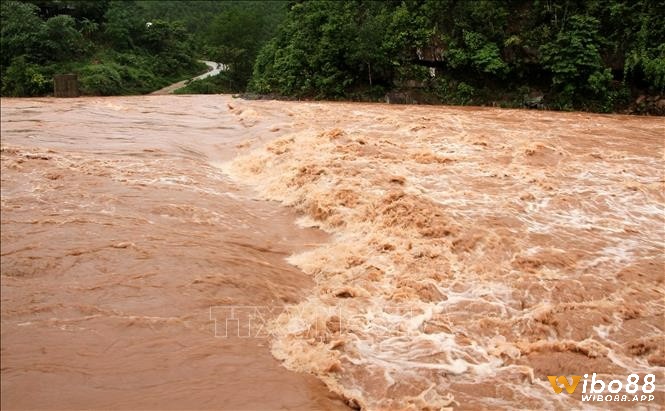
128, 47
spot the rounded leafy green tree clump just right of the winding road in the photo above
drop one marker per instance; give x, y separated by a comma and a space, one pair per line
324, 49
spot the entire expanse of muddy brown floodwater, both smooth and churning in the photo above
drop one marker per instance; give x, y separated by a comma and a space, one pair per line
412, 257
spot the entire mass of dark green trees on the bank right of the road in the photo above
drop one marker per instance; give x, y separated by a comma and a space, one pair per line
577, 53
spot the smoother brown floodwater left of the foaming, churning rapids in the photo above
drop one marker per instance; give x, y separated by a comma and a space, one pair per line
118, 235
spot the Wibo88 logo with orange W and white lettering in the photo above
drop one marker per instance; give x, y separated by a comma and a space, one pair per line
597, 392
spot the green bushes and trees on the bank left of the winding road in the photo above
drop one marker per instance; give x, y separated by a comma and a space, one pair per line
107, 43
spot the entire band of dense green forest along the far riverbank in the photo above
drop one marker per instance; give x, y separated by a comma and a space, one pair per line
561, 54
